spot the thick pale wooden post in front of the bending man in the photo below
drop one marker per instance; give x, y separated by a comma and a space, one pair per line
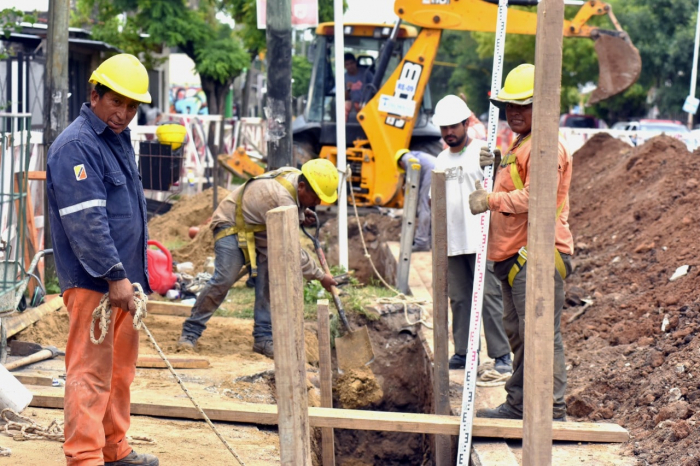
287, 305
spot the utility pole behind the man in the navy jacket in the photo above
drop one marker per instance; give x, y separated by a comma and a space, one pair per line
55, 99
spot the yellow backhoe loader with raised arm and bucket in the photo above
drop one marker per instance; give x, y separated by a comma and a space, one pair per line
396, 107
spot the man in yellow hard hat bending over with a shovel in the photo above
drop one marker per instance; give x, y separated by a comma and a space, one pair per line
240, 238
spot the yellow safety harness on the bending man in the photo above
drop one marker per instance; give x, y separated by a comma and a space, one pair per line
245, 231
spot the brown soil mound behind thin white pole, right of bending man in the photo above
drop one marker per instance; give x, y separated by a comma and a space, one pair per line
376, 228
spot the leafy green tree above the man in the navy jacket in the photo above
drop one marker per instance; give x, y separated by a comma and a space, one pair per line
142, 27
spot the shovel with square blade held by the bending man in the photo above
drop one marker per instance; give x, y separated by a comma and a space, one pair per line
353, 349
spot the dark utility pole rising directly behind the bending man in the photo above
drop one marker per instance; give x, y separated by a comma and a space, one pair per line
278, 109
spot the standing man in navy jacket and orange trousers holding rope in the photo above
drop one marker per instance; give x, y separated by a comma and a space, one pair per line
98, 226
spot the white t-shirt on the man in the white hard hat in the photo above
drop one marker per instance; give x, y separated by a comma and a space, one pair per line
462, 170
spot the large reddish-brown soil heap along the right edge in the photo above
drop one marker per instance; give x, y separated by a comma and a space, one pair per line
633, 354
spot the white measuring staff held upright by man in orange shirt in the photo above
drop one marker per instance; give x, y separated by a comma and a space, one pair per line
469, 393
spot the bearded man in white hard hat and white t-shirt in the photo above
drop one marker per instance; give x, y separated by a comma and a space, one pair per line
460, 162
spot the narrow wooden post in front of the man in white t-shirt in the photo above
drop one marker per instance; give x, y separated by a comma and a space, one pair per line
441, 375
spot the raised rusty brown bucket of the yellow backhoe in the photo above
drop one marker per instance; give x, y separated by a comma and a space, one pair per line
619, 66
